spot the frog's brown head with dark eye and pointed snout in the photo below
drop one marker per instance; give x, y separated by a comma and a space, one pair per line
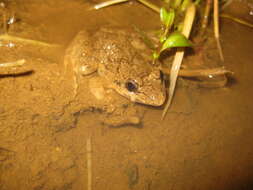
148, 89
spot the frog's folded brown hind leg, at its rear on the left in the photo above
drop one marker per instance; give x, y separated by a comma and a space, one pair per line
80, 58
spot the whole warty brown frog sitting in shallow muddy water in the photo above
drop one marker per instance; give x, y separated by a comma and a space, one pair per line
112, 70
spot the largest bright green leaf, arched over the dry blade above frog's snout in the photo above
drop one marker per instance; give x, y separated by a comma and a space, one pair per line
176, 40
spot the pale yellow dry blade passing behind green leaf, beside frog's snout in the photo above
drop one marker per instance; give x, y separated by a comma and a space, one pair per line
188, 21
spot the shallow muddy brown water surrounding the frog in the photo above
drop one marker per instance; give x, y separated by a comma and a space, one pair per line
205, 142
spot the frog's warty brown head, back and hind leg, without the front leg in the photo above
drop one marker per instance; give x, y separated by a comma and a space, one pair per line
120, 57
